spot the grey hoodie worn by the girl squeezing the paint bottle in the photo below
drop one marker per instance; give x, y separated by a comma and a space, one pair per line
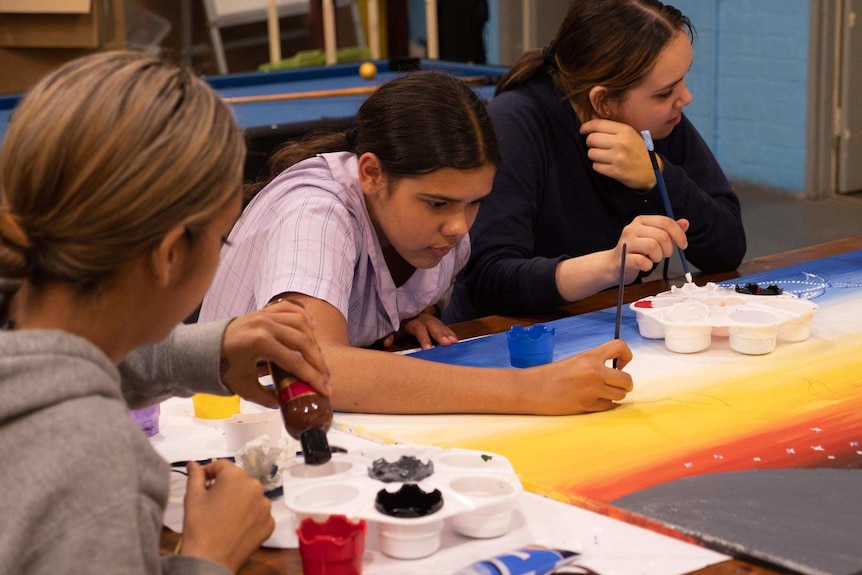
81, 488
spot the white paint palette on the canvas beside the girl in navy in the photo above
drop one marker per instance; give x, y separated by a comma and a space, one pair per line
688, 317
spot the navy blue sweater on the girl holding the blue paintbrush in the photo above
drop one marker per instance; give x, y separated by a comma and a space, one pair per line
548, 204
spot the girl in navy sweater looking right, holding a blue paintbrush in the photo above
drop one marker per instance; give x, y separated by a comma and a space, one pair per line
575, 182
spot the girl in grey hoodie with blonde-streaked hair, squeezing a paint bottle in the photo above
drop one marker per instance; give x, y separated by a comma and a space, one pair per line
119, 179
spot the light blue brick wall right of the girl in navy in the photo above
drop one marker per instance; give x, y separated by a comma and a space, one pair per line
749, 82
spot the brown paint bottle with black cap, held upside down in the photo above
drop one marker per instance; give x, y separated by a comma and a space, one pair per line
307, 415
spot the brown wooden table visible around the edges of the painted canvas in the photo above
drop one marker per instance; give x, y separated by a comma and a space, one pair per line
287, 561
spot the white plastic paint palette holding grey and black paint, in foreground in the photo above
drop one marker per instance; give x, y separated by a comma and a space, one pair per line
479, 491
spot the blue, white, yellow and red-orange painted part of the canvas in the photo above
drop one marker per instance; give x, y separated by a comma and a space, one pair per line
715, 411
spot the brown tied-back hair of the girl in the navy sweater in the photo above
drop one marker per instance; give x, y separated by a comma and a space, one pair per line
612, 43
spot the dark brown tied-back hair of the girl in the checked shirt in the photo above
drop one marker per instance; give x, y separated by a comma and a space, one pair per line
414, 124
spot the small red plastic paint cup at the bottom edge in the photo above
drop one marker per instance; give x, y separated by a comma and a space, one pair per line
334, 547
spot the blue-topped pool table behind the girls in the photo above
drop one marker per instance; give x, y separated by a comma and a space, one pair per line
268, 124
